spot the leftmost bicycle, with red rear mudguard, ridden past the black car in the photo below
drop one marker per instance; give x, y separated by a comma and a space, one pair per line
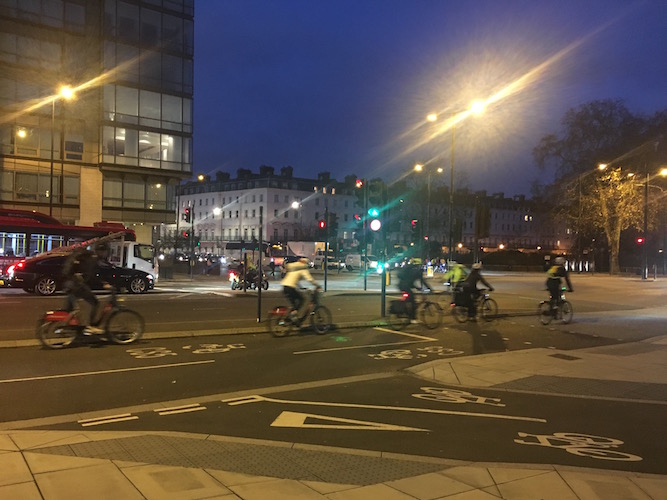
120, 325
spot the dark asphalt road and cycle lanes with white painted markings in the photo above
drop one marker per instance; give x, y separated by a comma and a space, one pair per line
348, 388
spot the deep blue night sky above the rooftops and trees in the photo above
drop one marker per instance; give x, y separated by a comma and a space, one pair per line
345, 86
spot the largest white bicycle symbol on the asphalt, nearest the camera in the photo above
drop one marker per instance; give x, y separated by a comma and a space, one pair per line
582, 445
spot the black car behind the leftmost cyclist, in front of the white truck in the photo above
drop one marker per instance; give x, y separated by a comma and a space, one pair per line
43, 275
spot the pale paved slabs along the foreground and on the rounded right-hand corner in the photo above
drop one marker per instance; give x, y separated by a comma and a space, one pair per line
87, 464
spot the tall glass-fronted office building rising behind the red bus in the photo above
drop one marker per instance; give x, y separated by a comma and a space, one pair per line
129, 127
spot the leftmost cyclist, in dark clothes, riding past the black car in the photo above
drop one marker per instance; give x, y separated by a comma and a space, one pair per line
80, 272
